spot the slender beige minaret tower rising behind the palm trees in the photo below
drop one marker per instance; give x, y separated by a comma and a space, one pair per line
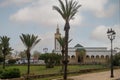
57, 35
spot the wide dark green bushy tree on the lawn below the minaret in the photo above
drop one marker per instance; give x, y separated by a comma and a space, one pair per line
50, 59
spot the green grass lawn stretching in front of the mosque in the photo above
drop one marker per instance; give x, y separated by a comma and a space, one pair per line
56, 69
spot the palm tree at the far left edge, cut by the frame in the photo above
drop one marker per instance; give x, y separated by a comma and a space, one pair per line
5, 49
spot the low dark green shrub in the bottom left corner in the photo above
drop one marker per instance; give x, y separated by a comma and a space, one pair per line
10, 73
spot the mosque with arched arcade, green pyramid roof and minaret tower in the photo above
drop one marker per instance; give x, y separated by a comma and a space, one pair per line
83, 55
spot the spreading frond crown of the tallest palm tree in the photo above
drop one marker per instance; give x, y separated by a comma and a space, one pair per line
68, 9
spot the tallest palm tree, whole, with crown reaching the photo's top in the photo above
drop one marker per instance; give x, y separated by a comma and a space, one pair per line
67, 10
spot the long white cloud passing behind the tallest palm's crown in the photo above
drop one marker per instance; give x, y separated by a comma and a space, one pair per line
42, 14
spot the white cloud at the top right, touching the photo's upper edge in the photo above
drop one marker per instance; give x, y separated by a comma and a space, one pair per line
98, 7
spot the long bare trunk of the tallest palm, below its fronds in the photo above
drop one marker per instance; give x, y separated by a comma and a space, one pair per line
67, 27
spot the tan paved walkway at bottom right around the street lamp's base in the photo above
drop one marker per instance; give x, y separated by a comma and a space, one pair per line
98, 76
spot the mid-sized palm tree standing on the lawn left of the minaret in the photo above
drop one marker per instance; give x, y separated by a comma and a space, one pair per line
29, 41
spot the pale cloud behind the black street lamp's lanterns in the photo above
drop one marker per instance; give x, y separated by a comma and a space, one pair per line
100, 34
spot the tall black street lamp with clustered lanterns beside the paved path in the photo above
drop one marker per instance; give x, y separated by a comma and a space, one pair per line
111, 35
